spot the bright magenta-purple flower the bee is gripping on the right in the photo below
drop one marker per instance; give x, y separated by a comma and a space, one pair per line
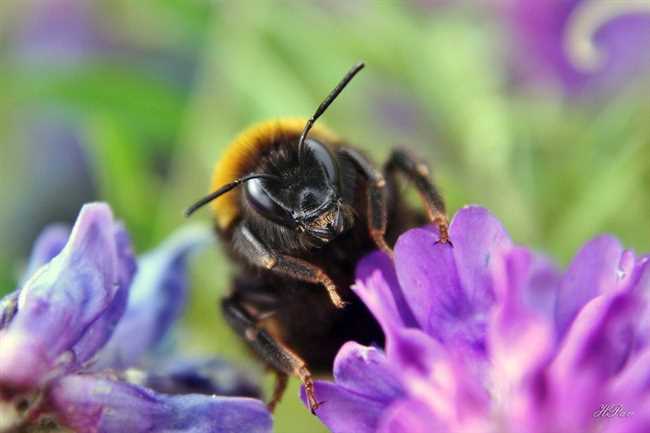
487, 336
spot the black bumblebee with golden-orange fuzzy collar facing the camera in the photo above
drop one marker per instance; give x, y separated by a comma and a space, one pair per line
296, 207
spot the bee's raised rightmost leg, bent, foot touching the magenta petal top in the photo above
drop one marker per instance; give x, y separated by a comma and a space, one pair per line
418, 173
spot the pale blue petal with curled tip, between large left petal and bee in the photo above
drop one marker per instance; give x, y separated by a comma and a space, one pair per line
156, 299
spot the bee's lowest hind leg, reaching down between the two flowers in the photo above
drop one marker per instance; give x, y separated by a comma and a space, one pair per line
279, 357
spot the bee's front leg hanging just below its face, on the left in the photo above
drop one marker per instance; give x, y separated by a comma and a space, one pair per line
252, 249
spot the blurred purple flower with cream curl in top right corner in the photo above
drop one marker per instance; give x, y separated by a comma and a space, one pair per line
584, 45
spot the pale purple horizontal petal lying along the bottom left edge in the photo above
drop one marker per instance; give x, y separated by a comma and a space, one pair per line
91, 404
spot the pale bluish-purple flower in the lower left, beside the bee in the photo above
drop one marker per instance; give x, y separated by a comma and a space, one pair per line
73, 335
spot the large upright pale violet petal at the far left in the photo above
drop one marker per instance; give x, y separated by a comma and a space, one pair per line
60, 305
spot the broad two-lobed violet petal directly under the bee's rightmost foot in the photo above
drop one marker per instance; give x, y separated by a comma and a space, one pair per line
449, 288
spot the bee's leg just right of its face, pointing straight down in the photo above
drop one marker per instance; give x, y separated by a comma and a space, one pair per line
377, 202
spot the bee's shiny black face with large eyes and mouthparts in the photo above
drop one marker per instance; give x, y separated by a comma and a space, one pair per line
305, 195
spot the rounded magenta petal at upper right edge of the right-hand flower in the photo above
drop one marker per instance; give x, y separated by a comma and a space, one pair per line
594, 270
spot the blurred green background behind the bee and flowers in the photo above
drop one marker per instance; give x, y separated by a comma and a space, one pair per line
132, 102
